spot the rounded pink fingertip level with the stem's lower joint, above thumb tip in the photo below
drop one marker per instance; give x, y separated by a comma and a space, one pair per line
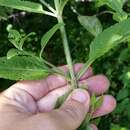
96, 84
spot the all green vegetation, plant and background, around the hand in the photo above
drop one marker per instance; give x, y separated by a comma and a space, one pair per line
105, 25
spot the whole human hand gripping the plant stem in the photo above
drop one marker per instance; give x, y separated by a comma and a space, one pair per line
29, 105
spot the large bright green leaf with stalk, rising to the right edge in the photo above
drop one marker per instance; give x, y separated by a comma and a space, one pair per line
105, 41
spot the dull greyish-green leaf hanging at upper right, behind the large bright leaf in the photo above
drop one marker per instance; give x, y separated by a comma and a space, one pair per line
91, 23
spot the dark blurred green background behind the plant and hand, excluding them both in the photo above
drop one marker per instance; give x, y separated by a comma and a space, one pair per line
115, 64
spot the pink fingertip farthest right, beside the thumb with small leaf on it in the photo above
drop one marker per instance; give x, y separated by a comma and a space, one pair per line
109, 104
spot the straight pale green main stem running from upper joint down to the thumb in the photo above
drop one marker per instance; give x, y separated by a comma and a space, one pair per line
67, 53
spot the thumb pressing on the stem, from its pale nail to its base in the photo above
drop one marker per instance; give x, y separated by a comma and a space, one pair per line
73, 111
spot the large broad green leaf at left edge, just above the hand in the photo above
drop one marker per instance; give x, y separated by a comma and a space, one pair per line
22, 68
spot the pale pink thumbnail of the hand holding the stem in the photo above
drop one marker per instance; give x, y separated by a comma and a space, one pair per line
80, 96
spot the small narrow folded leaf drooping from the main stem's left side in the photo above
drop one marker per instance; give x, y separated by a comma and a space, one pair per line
46, 37
